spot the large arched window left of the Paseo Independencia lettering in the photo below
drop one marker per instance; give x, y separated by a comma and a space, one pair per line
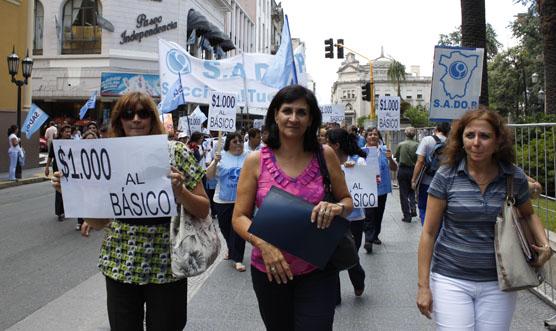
81, 32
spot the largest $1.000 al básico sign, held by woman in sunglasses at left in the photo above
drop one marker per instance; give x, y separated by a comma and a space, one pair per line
116, 177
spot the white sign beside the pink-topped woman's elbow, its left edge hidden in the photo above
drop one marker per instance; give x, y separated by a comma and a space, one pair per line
361, 182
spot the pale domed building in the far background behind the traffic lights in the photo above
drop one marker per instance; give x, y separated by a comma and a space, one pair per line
415, 89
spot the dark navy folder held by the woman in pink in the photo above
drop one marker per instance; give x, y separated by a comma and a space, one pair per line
284, 220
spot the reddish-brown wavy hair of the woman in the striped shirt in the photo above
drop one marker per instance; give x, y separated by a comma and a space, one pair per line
454, 152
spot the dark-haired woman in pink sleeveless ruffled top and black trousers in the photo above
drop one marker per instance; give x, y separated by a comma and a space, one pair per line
292, 294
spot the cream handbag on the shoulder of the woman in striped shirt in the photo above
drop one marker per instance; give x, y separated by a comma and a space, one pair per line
513, 248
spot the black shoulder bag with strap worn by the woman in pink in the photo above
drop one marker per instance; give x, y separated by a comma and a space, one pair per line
345, 255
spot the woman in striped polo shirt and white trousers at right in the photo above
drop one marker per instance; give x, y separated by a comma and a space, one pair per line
457, 271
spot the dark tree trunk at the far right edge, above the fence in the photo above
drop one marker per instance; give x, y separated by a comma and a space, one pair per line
547, 11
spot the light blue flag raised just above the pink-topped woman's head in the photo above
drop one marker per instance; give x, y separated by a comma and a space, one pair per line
282, 70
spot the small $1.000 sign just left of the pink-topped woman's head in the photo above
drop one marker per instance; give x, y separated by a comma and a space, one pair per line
222, 112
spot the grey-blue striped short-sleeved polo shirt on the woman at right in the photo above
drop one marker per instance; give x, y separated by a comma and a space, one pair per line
465, 245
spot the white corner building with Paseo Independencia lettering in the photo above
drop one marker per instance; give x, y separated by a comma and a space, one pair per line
86, 43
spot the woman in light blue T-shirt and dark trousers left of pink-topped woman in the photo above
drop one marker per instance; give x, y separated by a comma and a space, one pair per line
226, 168
